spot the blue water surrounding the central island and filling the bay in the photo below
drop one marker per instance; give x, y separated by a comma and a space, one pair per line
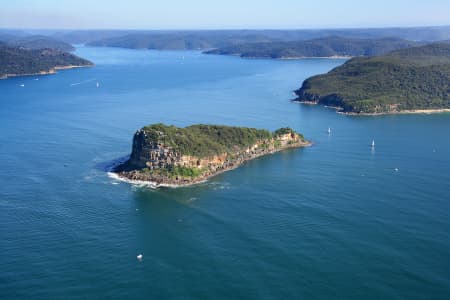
334, 221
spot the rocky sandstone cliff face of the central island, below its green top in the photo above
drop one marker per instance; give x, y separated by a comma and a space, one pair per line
154, 161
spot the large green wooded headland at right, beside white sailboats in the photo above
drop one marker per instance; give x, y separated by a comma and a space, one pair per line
412, 80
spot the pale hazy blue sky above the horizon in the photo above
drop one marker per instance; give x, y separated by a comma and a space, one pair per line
210, 14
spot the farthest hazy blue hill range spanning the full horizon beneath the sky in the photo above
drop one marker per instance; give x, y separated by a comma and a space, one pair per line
101, 37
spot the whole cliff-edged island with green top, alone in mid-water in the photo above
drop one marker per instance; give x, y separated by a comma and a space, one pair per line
172, 156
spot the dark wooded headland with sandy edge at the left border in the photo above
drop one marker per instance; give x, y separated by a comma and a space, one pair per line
16, 61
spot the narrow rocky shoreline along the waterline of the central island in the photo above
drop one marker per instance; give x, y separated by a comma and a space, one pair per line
201, 179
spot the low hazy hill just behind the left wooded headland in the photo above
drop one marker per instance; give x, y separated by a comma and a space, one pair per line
39, 42
